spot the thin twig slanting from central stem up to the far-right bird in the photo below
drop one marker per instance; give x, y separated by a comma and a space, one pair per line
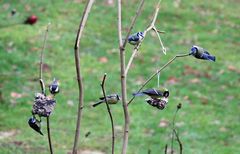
154, 74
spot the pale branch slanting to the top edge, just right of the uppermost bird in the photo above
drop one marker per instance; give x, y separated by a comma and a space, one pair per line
150, 27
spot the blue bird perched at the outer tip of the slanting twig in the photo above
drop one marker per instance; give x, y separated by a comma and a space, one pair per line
200, 53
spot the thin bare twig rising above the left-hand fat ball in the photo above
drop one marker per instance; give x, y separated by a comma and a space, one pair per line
41, 60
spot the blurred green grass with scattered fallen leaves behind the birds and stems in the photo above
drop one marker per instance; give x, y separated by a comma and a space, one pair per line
209, 121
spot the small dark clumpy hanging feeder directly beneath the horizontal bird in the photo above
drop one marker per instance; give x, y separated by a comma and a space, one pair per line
159, 103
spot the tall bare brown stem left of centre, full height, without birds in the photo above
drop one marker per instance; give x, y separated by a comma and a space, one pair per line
79, 77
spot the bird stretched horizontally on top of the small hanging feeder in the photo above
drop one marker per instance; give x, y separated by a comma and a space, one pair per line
153, 93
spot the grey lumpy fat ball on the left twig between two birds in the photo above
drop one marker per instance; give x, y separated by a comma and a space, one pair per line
43, 105
